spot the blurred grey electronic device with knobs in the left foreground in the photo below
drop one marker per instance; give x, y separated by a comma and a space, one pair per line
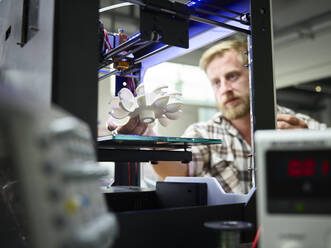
49, 178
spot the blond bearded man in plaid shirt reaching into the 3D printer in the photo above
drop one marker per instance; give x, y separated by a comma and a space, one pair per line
229, 162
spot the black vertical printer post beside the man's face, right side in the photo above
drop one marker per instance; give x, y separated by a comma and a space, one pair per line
261, 70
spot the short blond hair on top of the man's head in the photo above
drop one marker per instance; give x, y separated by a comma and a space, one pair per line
219, 49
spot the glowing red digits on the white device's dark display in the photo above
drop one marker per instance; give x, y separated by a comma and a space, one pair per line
306, 168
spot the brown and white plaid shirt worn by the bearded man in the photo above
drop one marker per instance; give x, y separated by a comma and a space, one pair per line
230, 162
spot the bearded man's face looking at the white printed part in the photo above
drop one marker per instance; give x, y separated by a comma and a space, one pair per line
230, 81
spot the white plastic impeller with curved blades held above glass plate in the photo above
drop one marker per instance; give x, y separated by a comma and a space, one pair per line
160, 104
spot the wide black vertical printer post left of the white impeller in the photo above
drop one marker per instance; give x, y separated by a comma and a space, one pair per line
75, 63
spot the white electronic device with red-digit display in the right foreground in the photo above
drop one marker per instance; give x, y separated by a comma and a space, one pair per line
293, 190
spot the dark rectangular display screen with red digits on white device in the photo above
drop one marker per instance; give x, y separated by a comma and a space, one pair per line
298, 180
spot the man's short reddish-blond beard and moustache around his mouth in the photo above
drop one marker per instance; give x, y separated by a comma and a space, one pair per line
237, 111
